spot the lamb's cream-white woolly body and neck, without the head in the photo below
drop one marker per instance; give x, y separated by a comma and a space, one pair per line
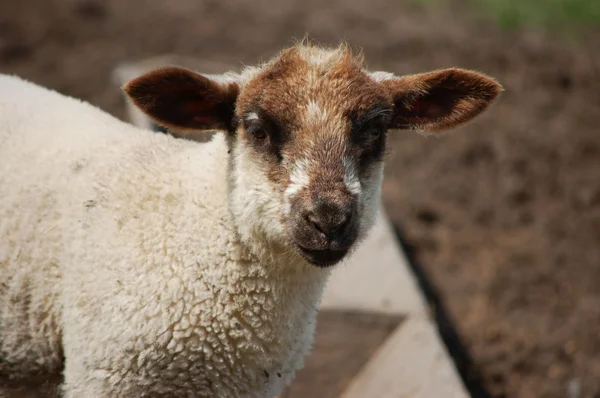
117, 249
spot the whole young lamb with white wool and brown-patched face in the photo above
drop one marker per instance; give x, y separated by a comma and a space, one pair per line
135, 264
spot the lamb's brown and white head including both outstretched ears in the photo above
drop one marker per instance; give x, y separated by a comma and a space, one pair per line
307, 133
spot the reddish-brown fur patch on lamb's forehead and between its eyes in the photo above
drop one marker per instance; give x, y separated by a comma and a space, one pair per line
302, 79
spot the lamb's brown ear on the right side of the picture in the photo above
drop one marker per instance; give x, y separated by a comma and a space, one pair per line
441, 99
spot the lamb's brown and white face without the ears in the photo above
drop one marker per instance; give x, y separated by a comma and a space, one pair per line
308, 152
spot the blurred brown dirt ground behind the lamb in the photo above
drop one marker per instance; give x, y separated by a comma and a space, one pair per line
504, 213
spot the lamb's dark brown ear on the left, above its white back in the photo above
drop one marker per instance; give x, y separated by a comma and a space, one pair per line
181, 99
